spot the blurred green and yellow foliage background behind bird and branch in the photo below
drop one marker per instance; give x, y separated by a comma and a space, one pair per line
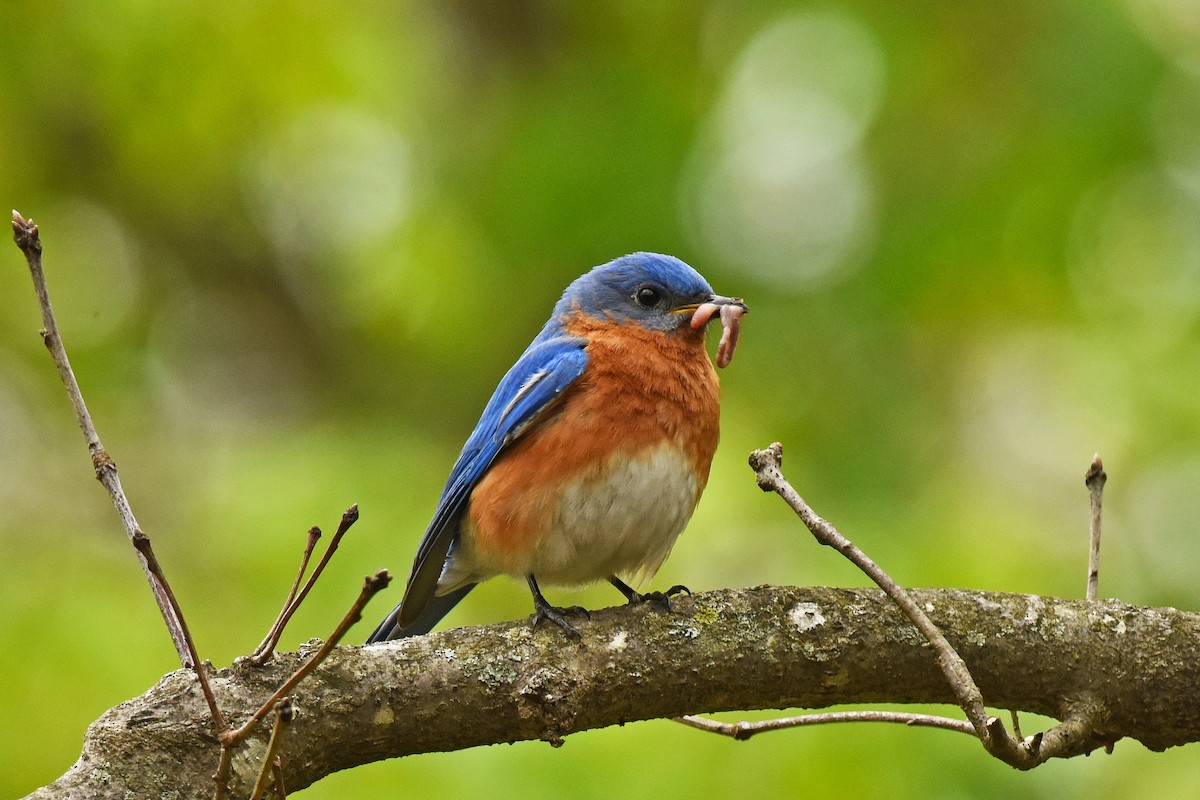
295, 245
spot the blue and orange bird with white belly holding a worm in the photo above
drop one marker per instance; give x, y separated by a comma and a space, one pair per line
591, 455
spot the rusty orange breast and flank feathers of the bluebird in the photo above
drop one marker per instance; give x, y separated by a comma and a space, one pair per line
643, 390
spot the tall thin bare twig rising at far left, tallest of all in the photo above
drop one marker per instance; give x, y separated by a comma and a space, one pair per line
28, 238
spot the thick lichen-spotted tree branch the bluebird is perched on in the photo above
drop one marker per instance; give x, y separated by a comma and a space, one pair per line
1133, 669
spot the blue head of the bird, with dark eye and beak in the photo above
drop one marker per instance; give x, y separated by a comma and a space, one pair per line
653, 291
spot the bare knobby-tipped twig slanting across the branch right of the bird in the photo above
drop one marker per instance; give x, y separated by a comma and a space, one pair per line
1073, 736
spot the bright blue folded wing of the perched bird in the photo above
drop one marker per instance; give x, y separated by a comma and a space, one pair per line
526, 394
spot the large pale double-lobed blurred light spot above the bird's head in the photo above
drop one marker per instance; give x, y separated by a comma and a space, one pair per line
778, 183
